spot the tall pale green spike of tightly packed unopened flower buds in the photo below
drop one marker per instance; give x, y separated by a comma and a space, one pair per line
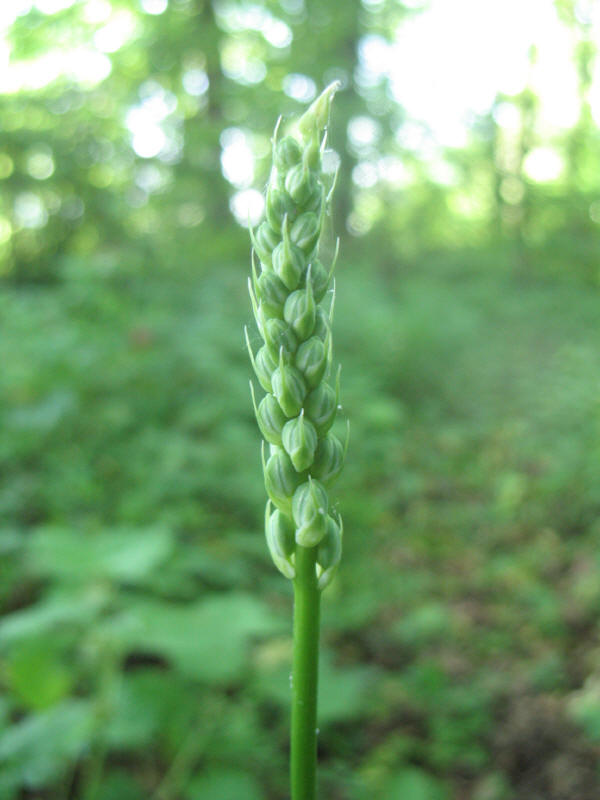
299, 408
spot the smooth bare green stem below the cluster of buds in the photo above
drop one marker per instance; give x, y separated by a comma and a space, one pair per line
305, 676
